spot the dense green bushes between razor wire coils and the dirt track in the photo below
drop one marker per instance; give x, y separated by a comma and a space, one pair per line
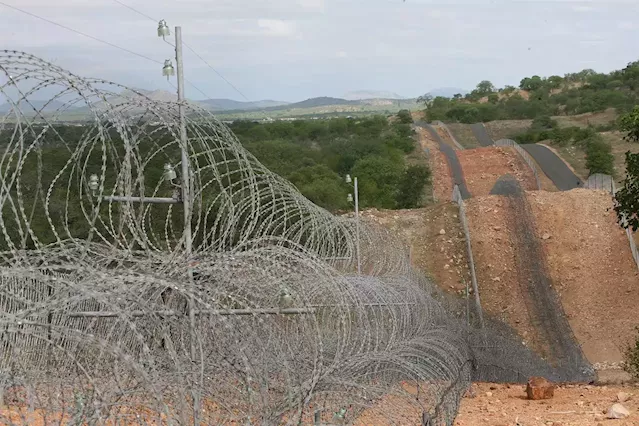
315, 155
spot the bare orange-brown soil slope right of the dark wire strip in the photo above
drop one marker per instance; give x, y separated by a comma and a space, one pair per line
592, 269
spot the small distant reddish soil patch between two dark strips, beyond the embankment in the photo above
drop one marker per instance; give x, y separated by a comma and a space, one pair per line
483, 166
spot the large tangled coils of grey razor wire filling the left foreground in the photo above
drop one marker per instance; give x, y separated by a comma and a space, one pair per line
98, 297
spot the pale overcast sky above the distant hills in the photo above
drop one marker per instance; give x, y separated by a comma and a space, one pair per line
296, 49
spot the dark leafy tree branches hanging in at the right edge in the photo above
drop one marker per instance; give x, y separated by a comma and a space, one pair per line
628, 197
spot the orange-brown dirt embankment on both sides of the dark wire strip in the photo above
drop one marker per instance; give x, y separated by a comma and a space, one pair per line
588, 259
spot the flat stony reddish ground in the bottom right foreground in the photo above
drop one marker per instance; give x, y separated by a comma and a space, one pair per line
572, 405
